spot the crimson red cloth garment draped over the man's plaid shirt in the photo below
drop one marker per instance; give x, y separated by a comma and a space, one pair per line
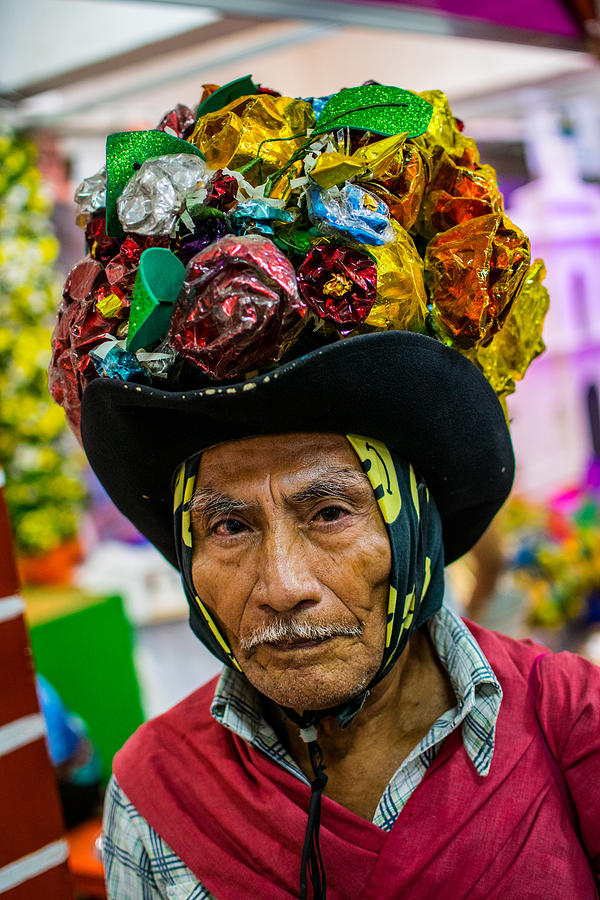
529, 829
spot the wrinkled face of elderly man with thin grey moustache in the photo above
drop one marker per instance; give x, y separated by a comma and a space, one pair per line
291, 556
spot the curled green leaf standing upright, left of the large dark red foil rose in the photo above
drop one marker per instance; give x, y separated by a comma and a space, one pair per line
157, 284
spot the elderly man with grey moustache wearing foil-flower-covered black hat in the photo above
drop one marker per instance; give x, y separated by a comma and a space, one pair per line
362, 741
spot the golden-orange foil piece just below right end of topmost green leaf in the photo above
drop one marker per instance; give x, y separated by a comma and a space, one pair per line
401, 185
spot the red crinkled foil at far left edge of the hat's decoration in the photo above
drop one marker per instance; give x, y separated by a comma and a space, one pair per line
79, 329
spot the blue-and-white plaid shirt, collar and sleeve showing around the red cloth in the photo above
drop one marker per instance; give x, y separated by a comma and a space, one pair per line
140, 865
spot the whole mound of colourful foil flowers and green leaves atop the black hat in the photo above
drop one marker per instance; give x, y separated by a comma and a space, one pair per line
333, 216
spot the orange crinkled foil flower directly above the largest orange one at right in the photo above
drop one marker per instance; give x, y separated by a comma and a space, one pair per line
456, 194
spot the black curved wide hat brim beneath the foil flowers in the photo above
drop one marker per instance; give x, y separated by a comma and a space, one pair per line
419, 397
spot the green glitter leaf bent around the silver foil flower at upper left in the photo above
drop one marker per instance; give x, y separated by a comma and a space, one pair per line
125, 152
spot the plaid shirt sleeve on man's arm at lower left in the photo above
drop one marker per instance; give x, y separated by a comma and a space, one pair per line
139, 865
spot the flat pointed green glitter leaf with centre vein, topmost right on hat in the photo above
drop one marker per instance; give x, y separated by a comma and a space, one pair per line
379, 108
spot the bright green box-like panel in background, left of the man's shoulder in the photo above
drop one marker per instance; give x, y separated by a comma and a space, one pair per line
83, 647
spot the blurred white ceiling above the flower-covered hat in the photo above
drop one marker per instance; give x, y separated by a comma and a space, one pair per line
482, 78
